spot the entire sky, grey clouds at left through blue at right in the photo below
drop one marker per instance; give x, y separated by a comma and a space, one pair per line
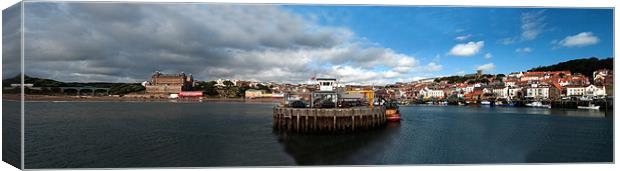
115, 42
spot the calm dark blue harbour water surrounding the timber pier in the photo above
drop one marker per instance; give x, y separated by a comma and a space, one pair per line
116, 134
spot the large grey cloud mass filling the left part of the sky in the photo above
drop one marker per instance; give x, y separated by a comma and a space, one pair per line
128, 42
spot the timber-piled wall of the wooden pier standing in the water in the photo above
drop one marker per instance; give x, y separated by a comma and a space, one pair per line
308, 120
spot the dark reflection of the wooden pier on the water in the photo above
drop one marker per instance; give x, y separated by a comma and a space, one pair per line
337, 149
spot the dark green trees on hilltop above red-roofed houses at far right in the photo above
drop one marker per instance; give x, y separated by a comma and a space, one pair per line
584, 66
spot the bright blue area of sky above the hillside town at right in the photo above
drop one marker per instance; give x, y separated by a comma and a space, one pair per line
429, 33
